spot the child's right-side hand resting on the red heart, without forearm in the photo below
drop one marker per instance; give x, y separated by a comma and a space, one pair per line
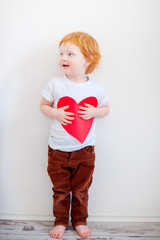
87, 112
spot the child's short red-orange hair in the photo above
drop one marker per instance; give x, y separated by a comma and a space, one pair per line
88, 46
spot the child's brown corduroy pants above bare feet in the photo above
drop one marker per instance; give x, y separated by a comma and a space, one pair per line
71, 172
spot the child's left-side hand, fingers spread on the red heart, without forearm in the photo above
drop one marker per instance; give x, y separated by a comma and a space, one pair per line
63, 117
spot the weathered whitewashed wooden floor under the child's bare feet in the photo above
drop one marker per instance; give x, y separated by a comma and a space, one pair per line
39, 230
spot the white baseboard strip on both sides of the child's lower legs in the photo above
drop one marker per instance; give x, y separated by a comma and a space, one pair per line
34, 216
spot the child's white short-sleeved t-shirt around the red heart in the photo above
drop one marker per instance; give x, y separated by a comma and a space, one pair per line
57, 88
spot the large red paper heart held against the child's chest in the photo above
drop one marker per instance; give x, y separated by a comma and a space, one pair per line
79, 128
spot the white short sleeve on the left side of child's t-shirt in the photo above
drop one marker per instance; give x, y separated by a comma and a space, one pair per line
48, 91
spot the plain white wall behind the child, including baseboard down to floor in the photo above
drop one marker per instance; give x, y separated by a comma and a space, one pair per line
127, 176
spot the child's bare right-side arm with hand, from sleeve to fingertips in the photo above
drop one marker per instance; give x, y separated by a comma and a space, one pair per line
89, 111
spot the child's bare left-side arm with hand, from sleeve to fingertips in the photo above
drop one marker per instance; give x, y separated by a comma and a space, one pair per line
59, 114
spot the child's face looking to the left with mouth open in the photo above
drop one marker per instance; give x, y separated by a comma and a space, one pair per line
72, 62
